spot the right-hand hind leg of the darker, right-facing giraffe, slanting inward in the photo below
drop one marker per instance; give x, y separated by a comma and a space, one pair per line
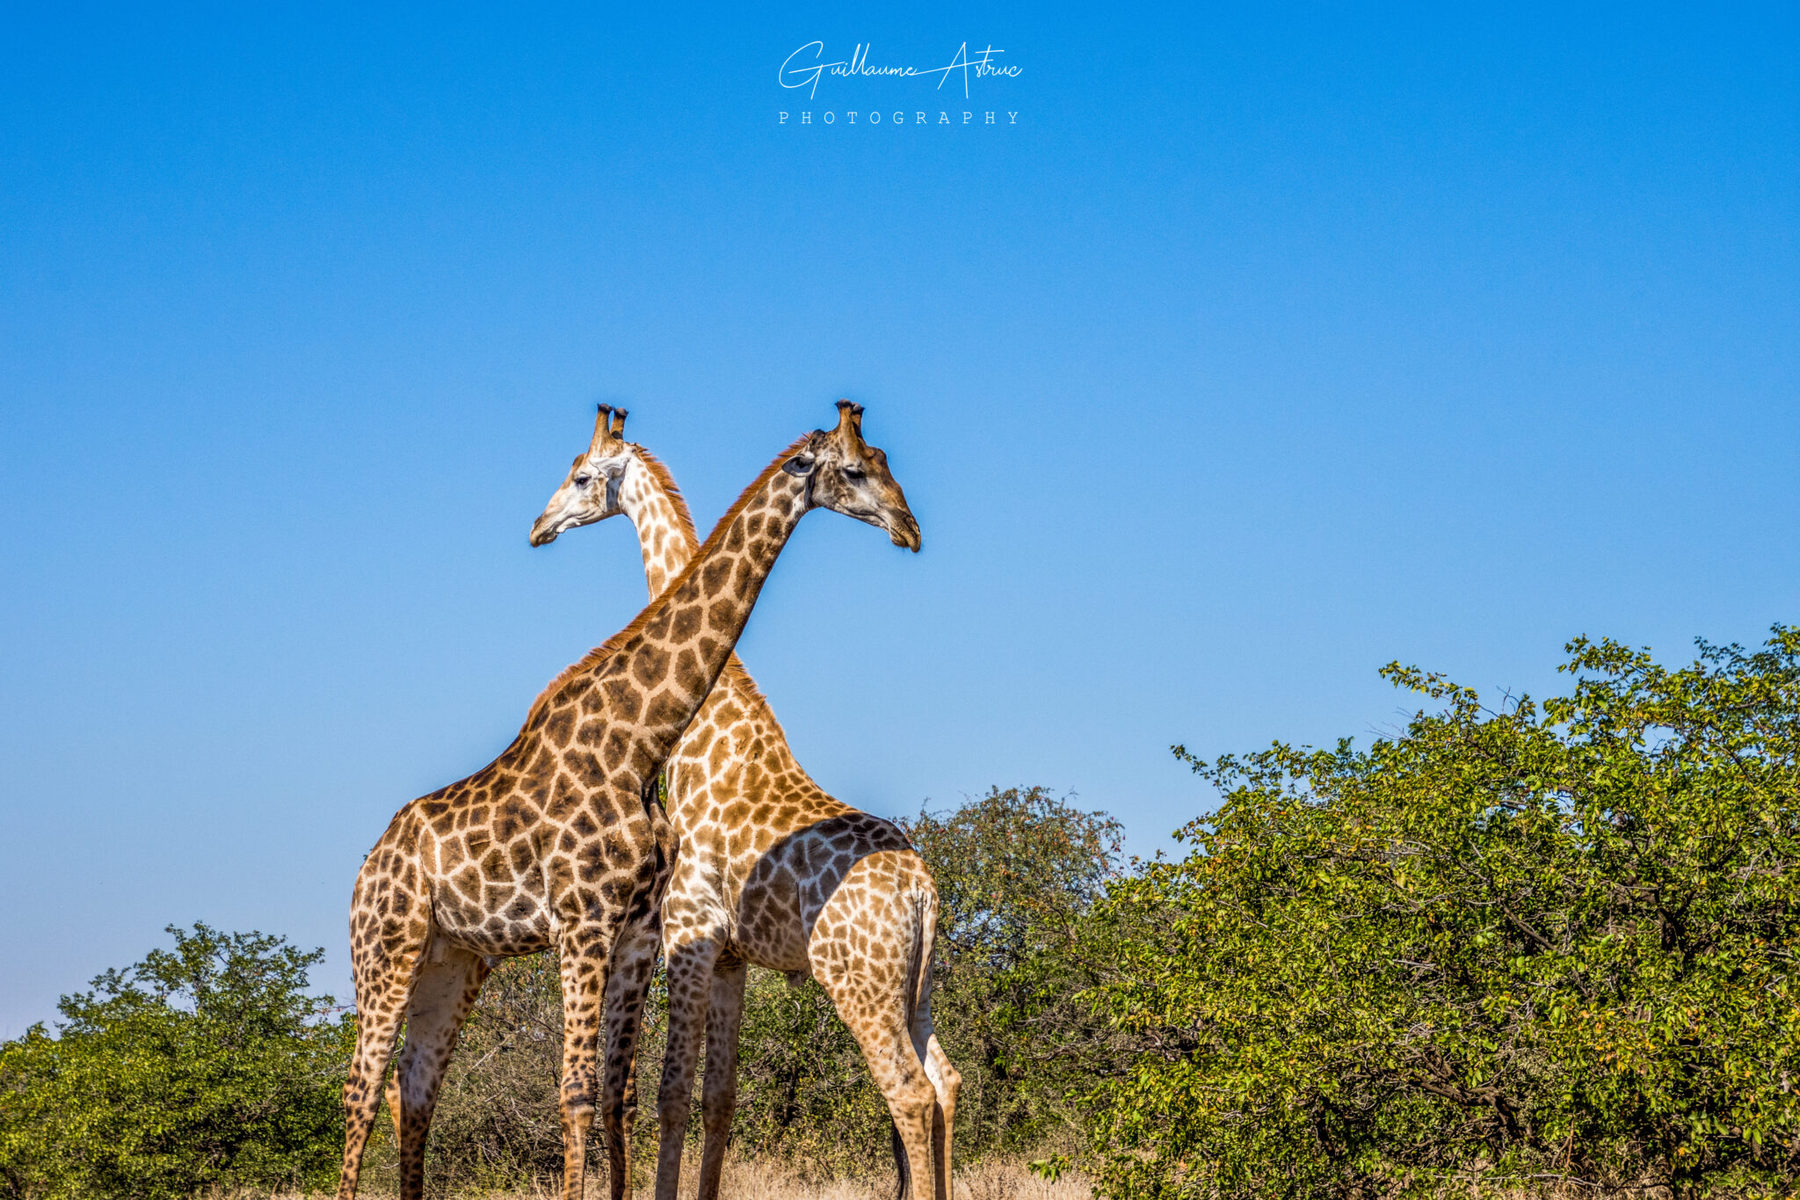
447, 987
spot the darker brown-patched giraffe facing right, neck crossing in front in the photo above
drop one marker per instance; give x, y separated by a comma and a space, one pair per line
561, 843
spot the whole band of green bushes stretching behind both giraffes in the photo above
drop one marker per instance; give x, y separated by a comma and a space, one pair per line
1498, 951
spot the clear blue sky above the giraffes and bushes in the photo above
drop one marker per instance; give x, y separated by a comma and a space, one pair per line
1263, 350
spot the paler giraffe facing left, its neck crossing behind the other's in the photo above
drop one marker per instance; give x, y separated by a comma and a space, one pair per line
771, 872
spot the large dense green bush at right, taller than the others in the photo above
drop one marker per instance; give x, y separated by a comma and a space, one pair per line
1502, 945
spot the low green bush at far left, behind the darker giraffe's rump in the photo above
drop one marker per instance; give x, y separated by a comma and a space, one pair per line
206, 1066
